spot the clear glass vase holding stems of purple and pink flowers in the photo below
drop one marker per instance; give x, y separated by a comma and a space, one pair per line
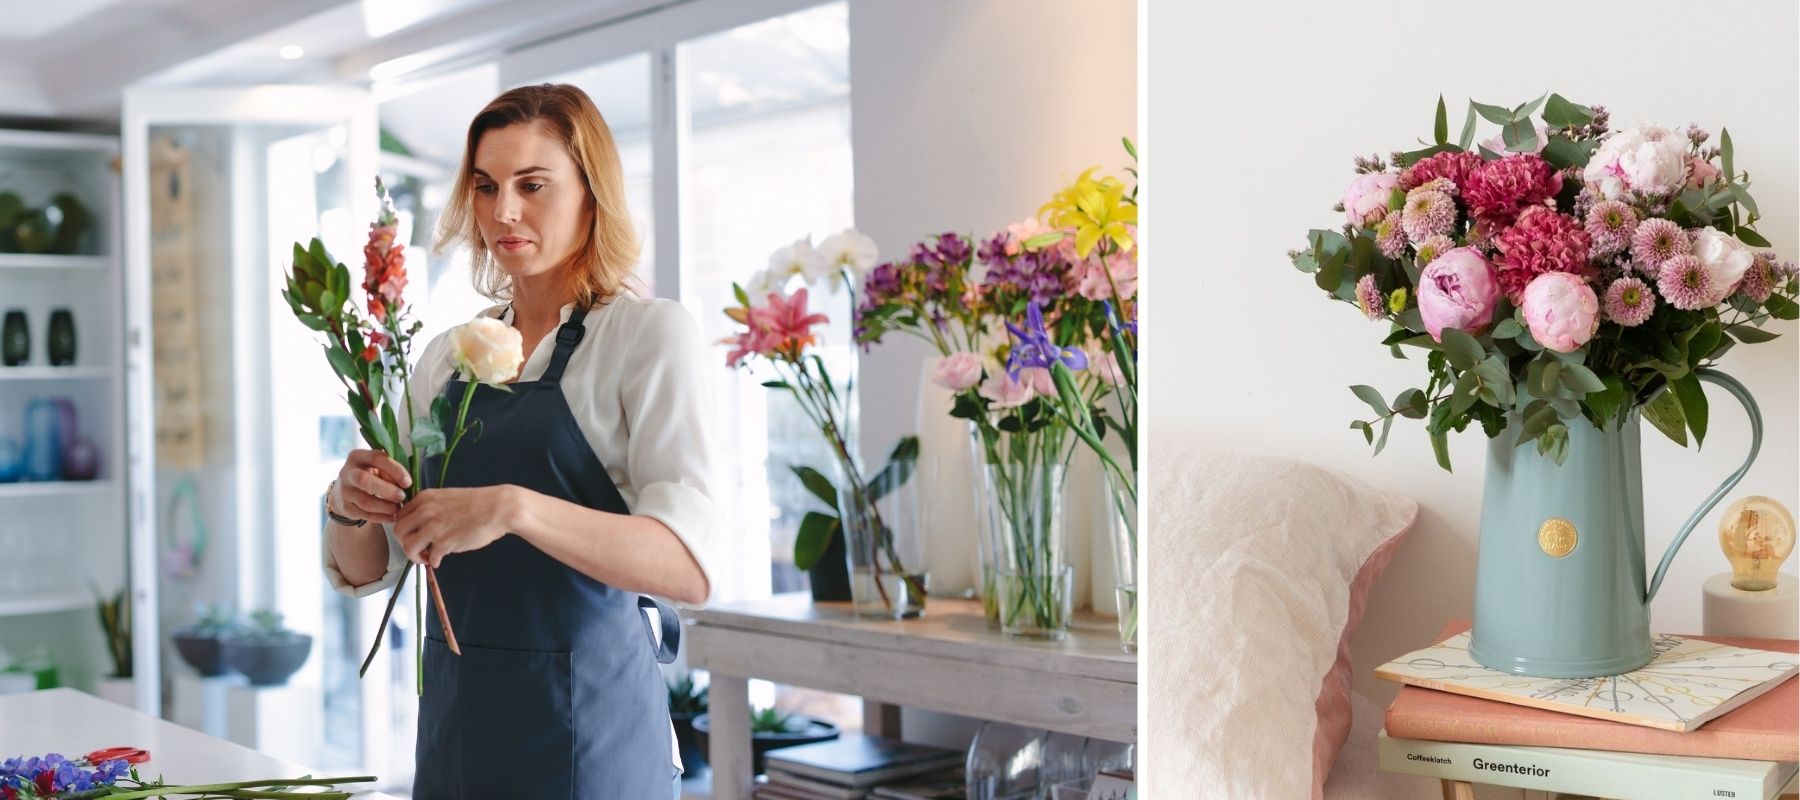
1023, 478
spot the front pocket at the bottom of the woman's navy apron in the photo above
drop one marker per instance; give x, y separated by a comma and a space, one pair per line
508, 714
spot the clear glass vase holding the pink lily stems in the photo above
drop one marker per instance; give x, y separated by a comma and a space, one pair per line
883, 541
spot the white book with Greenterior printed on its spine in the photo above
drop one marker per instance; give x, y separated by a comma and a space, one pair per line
1588, 772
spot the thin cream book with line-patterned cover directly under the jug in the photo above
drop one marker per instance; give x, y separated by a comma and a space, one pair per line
1686, 684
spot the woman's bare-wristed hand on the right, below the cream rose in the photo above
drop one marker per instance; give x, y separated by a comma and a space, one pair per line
442, 522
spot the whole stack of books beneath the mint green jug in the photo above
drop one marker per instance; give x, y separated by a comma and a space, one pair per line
1707, 718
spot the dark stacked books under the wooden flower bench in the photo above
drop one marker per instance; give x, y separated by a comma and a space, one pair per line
861, 768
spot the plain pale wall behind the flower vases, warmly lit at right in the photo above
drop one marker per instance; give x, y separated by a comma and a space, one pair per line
966, 118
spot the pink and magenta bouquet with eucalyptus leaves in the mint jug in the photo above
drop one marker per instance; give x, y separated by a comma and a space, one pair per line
1561, 271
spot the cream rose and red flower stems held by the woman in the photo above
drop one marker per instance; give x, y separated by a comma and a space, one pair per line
372, 358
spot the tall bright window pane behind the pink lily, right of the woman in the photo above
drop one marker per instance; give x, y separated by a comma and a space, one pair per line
768, 163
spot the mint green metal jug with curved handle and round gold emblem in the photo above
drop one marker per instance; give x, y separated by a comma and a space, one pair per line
1561, 586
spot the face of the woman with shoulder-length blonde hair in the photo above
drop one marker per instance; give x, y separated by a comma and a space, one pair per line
530, 201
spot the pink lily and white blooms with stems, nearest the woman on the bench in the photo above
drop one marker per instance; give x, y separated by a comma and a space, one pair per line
778, 331
